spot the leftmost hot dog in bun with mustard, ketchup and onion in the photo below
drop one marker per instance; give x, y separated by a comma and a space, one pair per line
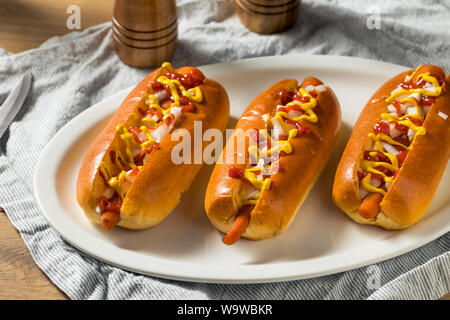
127, 177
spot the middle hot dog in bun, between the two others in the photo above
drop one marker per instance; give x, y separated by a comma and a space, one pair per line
289, 128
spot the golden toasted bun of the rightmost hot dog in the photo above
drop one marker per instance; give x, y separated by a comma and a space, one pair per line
411, 193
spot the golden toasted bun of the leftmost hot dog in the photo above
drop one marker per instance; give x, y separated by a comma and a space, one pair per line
156, 190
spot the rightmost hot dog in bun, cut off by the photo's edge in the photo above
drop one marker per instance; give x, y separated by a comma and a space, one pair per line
398, 151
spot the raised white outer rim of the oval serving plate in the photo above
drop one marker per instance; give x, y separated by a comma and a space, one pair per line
219, 274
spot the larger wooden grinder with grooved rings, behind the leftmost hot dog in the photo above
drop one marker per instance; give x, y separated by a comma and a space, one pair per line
145, 31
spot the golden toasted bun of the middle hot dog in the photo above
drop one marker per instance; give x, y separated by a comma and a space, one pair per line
276, 207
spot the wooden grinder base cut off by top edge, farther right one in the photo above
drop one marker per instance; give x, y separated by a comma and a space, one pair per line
267, 16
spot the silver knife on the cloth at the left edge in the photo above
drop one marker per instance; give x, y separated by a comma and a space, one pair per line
14, 102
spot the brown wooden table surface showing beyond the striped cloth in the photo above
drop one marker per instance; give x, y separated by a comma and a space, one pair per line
24, 25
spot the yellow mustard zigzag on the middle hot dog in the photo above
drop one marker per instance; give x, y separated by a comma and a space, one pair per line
280, 145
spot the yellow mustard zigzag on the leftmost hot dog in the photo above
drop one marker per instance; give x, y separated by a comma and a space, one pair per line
194, 94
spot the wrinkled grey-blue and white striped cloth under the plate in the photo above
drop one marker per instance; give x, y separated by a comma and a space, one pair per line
77, 70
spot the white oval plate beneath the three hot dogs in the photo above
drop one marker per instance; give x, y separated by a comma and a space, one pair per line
321, 240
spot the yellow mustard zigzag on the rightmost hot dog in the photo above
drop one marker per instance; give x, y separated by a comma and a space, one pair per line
378, 138
